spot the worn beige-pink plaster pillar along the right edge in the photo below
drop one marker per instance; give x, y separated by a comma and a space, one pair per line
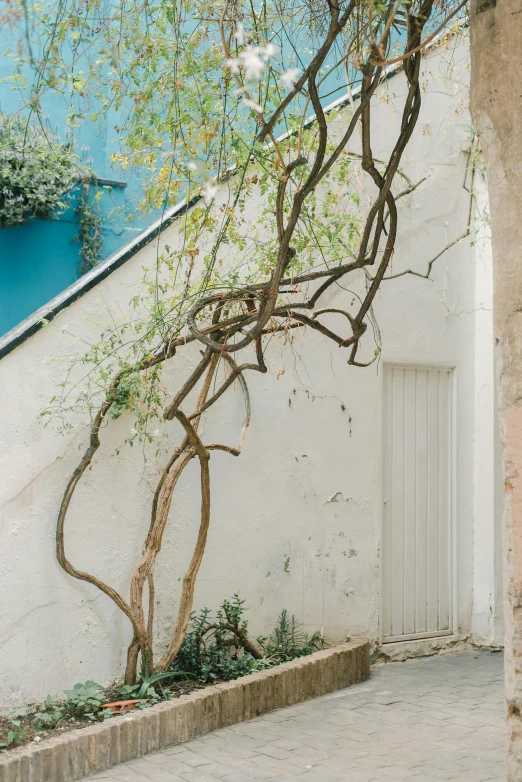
496, 29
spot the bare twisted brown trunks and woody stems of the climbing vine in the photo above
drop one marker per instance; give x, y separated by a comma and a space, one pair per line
225, 319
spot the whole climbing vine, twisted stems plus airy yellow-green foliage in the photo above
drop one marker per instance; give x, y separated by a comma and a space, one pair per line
225, 107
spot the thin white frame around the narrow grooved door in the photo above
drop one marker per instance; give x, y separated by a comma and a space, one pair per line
453, 537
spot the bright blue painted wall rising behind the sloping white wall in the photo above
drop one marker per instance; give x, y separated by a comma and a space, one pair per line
40, 259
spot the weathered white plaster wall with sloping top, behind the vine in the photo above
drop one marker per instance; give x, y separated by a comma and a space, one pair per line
296, 519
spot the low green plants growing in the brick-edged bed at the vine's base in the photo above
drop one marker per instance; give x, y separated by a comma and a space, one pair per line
215, 649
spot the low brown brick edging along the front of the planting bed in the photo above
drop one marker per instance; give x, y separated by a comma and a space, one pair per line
76, 754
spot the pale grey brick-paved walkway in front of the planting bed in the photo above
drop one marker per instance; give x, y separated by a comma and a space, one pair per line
438, 718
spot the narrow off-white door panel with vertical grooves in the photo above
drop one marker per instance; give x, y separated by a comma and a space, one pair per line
417, 556
